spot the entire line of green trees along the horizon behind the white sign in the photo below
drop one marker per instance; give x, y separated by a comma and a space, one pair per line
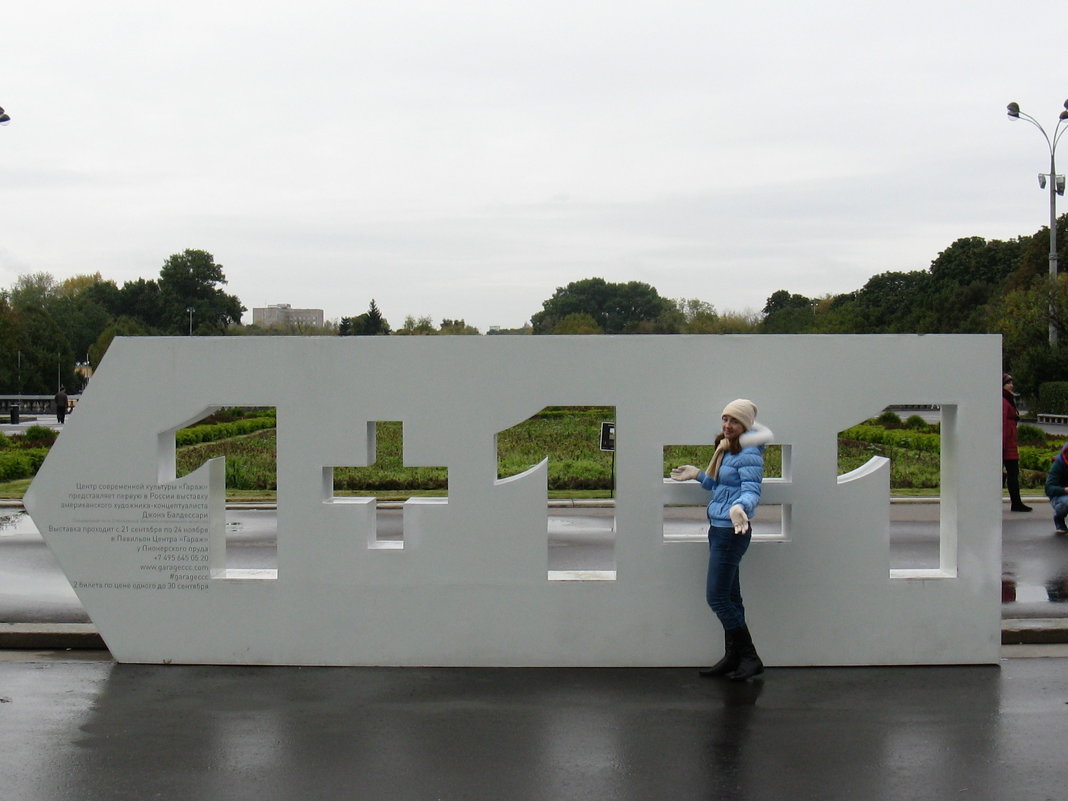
976, 286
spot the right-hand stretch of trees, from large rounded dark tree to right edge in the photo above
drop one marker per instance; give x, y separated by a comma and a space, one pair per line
973, 287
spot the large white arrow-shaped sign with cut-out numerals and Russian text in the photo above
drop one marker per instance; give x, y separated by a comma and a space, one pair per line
470, 586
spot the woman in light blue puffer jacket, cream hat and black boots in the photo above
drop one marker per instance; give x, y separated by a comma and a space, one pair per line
734, 476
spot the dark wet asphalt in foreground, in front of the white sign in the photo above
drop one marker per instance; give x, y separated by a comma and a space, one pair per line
92, 729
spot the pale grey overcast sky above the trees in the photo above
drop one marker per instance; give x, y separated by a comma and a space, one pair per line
454, 159
